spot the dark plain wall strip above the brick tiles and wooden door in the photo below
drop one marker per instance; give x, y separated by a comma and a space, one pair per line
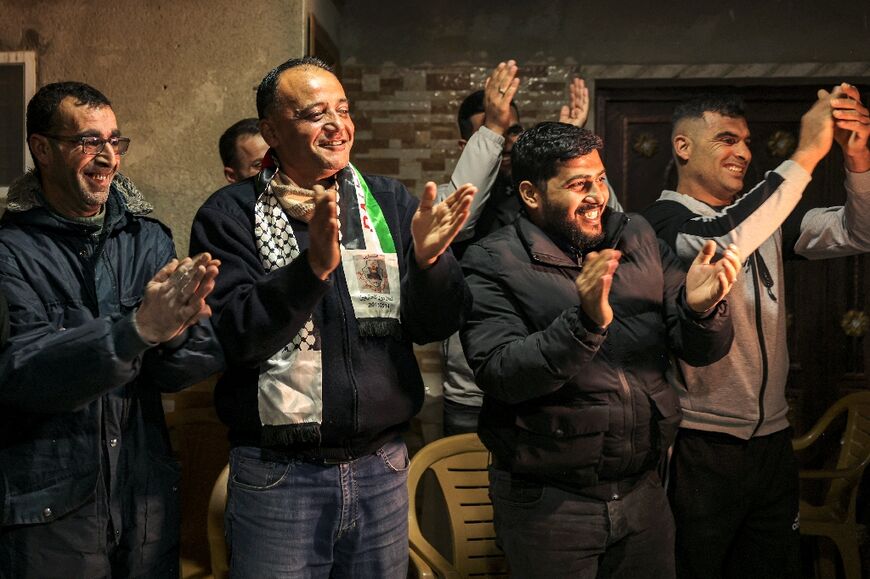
482, 32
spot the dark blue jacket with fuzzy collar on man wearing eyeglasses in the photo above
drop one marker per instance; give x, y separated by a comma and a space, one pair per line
79, 389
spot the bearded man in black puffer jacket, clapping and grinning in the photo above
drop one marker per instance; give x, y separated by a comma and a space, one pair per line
575, 312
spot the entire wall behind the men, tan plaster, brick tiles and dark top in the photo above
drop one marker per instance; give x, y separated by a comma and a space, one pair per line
179, 72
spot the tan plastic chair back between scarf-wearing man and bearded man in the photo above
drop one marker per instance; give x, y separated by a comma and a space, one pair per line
459, 464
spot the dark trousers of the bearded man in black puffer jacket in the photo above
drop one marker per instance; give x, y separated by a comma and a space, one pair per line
548, 532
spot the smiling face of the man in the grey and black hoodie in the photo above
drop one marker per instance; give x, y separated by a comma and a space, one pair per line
713, 154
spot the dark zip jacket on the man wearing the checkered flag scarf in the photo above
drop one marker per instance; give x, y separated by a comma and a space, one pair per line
371, 385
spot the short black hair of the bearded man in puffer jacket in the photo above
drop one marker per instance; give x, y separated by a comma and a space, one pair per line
539, 150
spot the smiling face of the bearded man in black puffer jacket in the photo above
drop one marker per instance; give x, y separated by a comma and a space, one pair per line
573, 205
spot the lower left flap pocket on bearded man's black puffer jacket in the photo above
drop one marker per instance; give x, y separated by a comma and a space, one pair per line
558, 438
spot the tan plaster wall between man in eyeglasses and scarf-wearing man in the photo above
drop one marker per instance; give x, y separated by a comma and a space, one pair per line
178, 73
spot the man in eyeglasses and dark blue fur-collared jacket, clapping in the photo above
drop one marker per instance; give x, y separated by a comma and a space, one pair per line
103, 319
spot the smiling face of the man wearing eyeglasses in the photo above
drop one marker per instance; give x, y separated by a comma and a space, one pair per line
74, 183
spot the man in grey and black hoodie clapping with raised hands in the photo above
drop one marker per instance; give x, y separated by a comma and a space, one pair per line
734, 483
